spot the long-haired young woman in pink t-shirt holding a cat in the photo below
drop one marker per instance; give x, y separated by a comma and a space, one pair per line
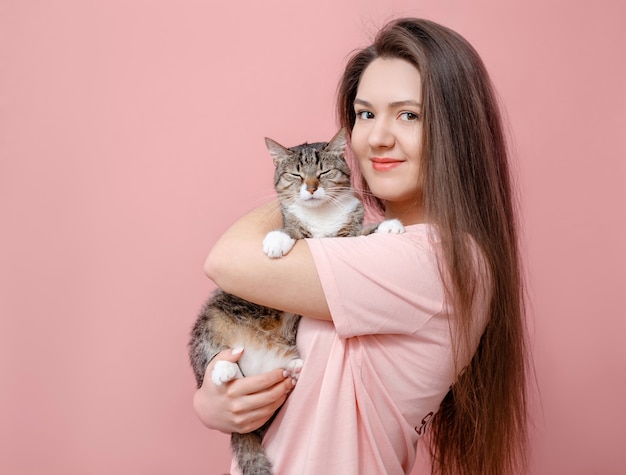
402, 335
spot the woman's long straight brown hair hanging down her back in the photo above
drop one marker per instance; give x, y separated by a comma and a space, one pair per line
481, 427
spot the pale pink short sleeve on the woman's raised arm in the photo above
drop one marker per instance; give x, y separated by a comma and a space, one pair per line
381, 283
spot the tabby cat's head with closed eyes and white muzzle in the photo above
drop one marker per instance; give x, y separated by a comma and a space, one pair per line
311, 174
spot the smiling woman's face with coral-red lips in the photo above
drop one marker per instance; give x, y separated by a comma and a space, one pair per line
387, 134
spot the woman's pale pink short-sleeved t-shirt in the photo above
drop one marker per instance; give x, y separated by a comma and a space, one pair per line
374, 377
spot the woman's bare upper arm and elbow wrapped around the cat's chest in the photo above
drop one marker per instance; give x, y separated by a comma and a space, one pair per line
238, 265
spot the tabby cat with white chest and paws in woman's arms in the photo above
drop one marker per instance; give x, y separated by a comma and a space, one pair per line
313, 186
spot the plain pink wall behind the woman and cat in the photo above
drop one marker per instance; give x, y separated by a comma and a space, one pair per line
131, 135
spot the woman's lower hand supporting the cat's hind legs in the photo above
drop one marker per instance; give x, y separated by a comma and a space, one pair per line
241, 405
